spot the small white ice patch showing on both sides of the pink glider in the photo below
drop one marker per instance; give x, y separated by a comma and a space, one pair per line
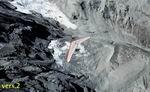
60, 51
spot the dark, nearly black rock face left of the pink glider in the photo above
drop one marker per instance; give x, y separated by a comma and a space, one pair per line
25, 58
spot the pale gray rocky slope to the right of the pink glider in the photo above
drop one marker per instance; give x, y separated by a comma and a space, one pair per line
119, 44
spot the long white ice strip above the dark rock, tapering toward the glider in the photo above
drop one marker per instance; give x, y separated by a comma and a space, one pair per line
45, 8
